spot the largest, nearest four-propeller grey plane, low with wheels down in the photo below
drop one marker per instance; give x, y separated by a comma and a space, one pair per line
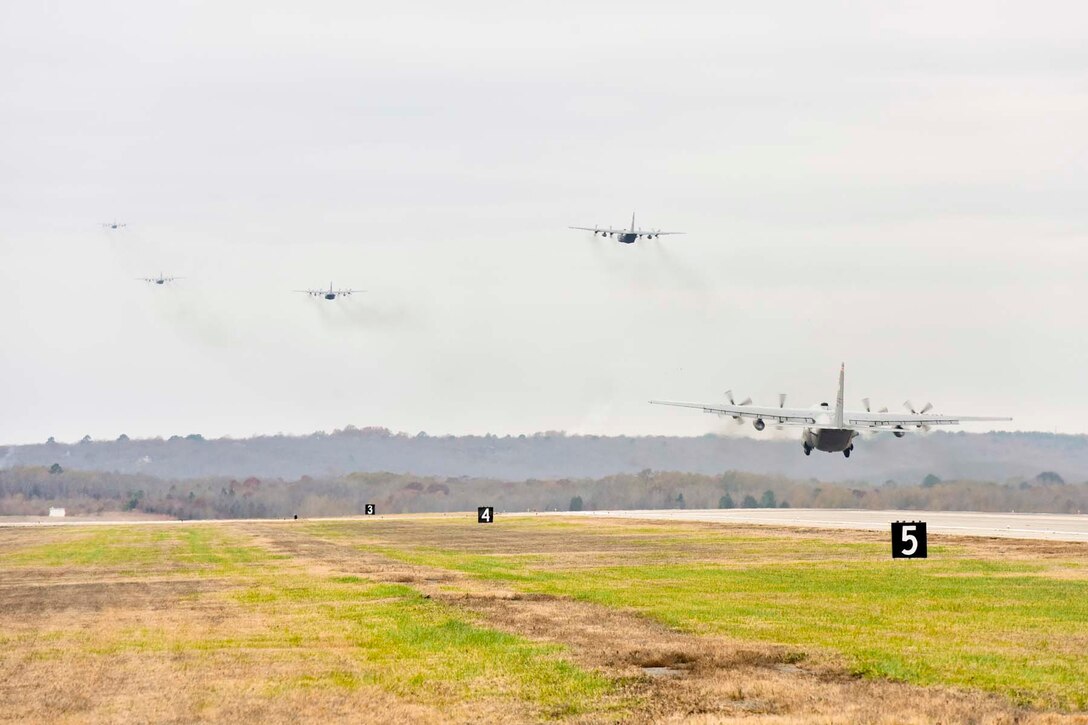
830, 429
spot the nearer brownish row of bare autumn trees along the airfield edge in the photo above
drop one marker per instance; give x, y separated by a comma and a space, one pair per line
32, 490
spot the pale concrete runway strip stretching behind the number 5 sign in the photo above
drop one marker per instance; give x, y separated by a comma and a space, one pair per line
1057, 527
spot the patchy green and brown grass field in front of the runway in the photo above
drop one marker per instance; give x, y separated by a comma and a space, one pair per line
439, 620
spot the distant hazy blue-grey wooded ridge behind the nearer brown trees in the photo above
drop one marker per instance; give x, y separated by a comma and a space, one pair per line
559, 456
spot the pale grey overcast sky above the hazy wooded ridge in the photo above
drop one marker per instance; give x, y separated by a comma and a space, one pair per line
901, 187
